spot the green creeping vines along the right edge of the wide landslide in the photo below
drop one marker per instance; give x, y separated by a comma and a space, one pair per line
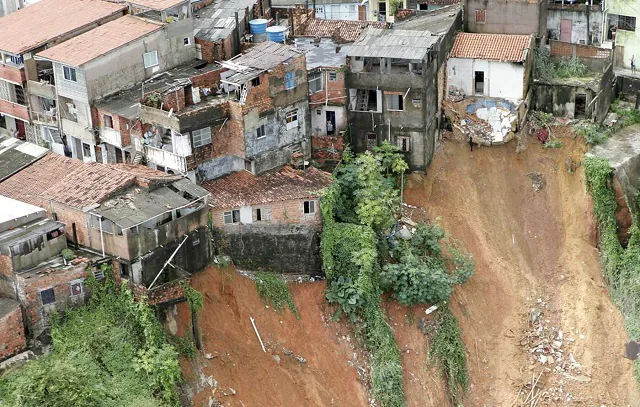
620, 266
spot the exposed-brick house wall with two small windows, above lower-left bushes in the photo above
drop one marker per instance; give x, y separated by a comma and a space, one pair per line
30, 285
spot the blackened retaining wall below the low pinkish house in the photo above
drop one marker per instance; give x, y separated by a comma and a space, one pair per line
283, 248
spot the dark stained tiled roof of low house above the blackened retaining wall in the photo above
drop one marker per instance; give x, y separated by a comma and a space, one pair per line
242, 188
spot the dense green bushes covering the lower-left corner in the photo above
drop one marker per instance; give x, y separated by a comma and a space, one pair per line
112, 352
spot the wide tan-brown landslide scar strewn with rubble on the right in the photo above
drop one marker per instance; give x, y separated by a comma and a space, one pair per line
533, 249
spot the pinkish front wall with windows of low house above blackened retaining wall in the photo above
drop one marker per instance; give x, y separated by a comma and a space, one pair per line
290, 211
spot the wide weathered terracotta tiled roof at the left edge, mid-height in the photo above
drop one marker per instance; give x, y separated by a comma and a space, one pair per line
73, 182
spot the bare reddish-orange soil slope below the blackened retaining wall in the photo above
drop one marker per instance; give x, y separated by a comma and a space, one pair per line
326, 377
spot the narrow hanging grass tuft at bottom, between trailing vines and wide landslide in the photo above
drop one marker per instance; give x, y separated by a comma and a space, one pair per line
448, 351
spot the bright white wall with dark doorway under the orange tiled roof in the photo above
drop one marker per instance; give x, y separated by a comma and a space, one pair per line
501, 79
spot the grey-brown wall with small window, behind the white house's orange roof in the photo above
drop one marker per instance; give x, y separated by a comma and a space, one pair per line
507, 17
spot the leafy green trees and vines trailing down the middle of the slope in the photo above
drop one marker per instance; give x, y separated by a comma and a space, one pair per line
362, 259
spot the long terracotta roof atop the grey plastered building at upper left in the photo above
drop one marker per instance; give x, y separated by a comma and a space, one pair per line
101, 40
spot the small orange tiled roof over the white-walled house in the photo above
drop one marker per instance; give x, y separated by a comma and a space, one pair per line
494, 47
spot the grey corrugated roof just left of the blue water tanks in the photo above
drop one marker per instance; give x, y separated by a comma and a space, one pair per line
217, 21
